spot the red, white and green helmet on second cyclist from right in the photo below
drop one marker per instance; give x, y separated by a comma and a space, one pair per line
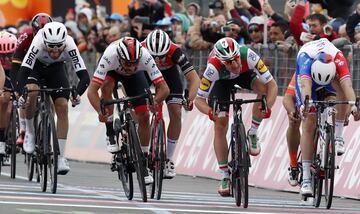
226, 49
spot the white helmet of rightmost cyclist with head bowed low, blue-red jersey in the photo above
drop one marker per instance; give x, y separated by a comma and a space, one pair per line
323, 69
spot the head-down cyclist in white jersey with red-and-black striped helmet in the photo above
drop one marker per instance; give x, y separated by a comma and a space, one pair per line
126, 61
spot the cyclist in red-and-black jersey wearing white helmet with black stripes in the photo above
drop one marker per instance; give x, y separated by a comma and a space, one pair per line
169, 57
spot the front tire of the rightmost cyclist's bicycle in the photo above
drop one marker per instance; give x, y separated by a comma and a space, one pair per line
329, 166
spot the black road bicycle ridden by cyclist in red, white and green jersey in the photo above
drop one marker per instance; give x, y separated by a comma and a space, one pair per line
239, 148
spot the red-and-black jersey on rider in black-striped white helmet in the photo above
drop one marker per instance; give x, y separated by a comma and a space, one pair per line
174, 57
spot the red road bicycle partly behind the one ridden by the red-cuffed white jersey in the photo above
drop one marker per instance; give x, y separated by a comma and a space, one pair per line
157, 158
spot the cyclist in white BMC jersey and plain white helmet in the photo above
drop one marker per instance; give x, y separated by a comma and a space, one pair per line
50, 48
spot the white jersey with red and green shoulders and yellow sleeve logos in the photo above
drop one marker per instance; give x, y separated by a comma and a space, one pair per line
216, 70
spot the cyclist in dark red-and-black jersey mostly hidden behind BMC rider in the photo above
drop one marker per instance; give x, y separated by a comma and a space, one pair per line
23, 44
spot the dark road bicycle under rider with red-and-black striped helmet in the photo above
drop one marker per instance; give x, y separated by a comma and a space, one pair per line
130, 157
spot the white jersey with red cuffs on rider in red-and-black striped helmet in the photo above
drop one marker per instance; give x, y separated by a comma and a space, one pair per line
110, 61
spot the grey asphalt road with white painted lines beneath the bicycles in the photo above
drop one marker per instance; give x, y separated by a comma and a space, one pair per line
92, 188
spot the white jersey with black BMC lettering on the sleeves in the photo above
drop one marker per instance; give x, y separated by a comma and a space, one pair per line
38, 51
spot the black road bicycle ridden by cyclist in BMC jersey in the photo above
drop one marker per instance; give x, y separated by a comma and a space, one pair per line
45, 157
